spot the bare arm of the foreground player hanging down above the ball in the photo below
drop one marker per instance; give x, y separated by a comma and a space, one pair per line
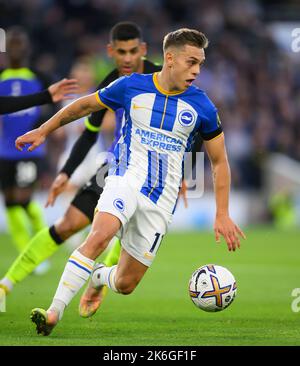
221, 177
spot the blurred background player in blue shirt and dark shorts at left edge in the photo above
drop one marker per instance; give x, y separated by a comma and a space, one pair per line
19, 172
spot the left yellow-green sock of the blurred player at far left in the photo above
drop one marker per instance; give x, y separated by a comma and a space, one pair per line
18, 226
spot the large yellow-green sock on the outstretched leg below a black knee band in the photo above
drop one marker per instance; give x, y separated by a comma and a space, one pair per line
40, 247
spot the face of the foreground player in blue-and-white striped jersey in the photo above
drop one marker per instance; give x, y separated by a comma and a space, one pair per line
184, 65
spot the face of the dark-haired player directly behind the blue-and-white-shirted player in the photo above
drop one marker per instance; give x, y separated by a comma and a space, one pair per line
128, 55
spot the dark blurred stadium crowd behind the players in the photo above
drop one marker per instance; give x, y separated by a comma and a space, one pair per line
252, 81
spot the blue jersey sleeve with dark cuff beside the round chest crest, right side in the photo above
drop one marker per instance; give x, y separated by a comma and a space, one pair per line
211, 125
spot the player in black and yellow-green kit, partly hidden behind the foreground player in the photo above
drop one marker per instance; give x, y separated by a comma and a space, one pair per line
127, 49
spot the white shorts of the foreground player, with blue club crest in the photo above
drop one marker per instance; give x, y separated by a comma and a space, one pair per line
143, 223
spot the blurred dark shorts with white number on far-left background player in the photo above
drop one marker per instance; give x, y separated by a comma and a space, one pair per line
20, 173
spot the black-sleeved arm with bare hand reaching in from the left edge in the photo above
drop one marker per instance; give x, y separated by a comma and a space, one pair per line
55, 93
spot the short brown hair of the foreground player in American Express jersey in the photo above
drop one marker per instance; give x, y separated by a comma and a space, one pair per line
185, 36
